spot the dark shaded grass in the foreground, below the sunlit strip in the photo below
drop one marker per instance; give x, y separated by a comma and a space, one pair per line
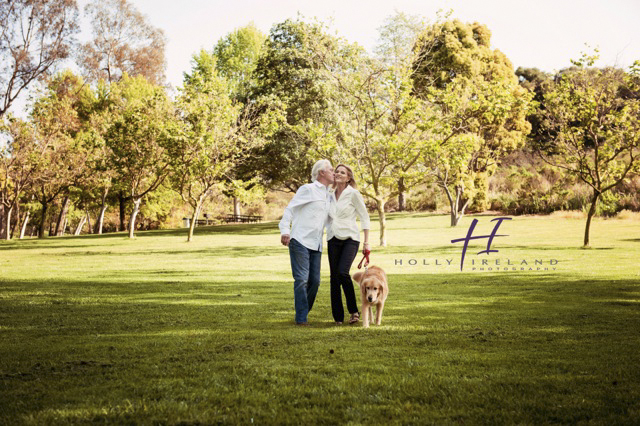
532, 346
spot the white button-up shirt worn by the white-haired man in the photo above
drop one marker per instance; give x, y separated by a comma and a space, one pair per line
309, 211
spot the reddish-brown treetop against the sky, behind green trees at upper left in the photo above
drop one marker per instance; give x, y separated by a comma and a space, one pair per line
123, 42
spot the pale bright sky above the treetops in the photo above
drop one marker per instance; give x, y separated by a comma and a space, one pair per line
544, 33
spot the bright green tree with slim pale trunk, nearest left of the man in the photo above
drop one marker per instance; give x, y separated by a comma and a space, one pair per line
218, 135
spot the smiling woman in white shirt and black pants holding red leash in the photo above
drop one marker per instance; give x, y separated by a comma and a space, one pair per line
343, 240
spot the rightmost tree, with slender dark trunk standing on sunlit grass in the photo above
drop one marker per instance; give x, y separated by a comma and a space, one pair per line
595, 117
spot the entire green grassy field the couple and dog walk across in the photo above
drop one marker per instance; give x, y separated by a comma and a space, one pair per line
159, 331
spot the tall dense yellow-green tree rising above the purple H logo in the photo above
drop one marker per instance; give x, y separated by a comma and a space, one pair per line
476, 92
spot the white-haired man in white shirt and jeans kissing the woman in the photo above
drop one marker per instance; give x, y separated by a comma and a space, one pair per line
309, 211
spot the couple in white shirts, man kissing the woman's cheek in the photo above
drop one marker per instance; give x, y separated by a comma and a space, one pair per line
330, 201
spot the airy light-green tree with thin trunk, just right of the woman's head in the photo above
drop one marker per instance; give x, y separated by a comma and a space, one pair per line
379, 126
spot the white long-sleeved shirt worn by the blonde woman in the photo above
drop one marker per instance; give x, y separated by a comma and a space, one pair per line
344, 211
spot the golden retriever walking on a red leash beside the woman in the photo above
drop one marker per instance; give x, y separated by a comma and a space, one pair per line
373, 291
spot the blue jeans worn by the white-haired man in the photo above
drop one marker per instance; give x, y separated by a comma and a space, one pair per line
305, 266
